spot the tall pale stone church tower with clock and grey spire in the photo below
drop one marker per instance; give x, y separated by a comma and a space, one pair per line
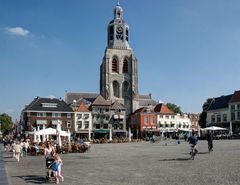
119, 71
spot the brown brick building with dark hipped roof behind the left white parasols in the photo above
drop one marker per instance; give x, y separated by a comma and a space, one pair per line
46, 112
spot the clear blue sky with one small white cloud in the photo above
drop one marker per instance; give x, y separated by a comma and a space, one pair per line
187, 50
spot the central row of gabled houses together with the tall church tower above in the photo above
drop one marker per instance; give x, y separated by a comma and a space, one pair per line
118, 107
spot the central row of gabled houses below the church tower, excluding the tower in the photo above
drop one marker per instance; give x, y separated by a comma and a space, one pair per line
89, 115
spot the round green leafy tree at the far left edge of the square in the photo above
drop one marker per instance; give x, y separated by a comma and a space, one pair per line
6, 124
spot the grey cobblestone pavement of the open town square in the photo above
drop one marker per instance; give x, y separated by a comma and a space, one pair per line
137, 164
